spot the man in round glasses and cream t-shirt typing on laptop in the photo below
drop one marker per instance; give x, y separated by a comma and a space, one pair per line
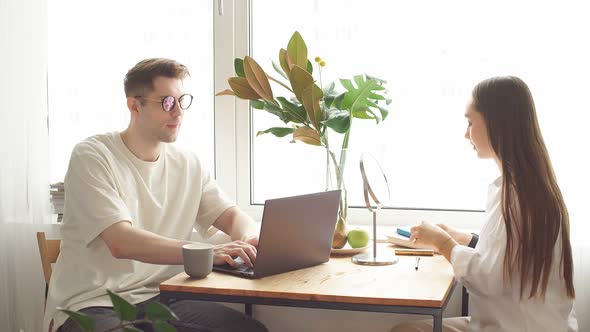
132, 202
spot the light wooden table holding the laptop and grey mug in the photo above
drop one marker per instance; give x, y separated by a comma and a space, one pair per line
337, 284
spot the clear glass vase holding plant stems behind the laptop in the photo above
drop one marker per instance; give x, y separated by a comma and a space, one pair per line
335, 167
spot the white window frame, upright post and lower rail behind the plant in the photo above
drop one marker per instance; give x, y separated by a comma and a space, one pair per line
233, 140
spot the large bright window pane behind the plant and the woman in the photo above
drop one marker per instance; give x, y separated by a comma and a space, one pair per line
432, 55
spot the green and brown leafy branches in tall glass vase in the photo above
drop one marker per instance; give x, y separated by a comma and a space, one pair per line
311, 112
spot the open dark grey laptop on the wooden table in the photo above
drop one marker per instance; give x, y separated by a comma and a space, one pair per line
296, 233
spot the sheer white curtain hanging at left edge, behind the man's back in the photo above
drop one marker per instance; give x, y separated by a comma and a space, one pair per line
24, 203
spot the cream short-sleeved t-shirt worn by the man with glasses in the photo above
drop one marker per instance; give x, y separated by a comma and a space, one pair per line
105, 184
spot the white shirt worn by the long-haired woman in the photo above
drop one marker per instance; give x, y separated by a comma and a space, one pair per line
495, 305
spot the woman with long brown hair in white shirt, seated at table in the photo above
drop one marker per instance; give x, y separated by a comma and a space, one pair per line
519, 275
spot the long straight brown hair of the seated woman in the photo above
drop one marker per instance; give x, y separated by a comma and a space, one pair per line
532, 205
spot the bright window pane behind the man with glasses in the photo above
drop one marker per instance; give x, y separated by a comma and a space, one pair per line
91, 51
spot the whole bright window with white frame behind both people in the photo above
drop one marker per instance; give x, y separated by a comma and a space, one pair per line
431, 53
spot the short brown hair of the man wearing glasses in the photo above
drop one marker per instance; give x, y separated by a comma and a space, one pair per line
141, 77
